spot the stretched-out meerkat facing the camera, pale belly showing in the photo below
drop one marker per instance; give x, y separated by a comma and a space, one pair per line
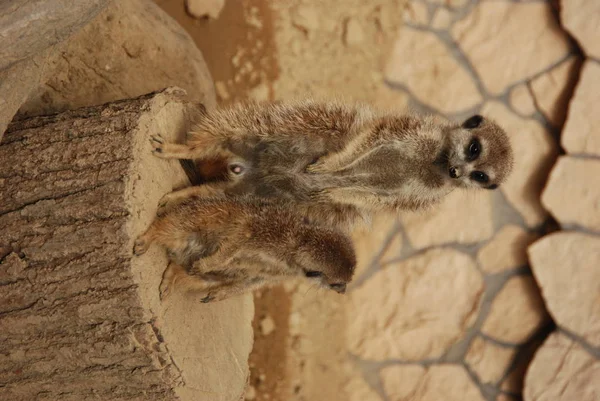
337, 162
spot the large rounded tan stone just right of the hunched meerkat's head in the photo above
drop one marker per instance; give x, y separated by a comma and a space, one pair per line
396, 315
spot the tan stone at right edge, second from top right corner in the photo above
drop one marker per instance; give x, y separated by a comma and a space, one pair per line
580, 132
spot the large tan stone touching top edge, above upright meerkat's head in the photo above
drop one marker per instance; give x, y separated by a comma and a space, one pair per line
487, 37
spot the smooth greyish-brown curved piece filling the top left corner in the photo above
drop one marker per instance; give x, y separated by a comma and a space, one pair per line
27, 27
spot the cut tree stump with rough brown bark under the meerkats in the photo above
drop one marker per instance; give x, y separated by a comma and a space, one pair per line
81, 317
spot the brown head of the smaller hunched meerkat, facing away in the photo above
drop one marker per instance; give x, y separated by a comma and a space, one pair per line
326, 257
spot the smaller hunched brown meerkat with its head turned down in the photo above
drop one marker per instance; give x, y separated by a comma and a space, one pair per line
222, 247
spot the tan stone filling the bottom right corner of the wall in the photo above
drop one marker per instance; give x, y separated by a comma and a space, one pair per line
562, 371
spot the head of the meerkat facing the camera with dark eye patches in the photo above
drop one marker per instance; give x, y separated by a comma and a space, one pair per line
478, 154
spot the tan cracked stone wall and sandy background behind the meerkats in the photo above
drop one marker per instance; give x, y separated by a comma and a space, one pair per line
480, 298
